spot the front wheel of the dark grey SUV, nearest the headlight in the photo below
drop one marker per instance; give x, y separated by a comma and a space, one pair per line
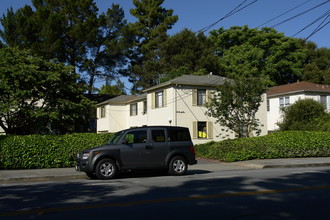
106, 169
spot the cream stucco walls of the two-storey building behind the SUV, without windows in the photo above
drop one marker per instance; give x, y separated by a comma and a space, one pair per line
178, 111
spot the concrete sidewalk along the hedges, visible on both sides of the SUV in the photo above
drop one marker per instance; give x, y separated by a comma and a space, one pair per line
8, 176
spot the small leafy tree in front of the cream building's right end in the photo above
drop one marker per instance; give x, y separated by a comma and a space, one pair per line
236, 102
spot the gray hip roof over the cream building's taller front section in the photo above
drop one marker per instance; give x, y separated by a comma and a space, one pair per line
192, 80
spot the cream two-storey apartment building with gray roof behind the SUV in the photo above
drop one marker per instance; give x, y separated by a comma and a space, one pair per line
178, 102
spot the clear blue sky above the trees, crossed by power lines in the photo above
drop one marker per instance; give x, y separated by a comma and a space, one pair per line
198, 14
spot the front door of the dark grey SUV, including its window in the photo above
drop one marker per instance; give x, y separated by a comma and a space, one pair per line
134, 144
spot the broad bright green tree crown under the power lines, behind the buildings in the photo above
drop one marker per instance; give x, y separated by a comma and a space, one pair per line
282, 57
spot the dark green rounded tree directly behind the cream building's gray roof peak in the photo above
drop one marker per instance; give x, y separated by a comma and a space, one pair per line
187, 53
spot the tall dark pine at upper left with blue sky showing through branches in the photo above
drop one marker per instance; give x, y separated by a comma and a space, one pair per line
72, 32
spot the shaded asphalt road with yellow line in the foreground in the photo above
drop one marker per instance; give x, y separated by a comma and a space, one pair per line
277, 193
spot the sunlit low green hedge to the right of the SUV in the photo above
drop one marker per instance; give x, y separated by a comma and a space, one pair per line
289, 144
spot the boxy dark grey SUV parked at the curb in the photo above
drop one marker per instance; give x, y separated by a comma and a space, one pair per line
140, 148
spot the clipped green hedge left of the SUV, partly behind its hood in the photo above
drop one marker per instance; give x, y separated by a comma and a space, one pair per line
45, 151
